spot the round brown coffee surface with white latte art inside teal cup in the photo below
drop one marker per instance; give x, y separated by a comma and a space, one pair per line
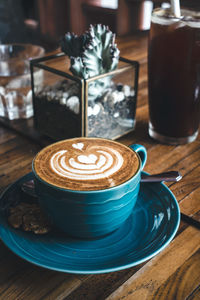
86, 164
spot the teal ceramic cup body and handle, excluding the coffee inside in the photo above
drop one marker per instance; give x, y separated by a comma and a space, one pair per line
91, 214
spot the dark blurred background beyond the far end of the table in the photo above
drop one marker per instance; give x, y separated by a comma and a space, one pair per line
44, 22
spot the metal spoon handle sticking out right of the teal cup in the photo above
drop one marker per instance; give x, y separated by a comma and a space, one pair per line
166, 176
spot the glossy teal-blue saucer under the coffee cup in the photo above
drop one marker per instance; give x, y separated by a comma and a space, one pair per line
150, 228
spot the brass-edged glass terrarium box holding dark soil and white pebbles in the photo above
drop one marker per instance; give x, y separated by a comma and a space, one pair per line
67, 106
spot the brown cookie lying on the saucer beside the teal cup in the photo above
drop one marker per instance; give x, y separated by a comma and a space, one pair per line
29, 217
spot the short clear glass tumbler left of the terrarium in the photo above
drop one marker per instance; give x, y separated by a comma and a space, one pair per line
15, 79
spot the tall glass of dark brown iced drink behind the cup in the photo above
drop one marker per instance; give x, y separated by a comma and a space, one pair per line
174, 76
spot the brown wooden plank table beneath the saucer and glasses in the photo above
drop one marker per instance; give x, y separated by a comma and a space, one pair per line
172, 274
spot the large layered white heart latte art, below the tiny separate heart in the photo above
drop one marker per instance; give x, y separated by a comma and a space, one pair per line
102, 164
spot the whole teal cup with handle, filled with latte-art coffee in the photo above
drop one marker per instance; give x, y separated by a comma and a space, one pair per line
88, 186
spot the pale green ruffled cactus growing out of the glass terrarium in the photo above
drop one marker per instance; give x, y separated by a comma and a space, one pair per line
92, 54
